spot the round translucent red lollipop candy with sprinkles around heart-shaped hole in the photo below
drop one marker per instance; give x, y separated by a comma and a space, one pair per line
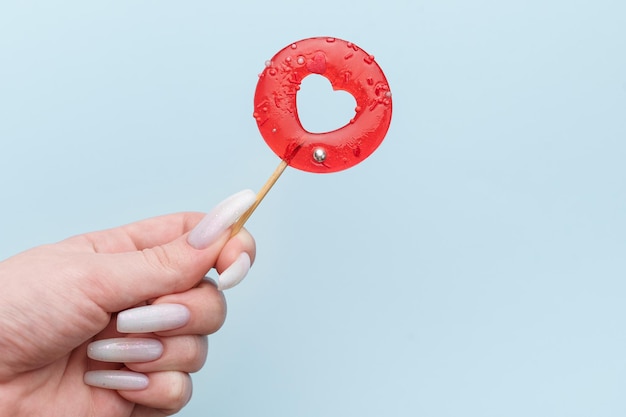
348, 68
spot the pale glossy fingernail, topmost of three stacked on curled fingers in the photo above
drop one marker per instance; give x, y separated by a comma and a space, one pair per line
152, 318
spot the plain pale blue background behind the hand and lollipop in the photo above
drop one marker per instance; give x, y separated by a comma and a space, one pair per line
474, 265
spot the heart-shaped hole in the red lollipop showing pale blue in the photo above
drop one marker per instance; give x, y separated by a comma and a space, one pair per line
322, 109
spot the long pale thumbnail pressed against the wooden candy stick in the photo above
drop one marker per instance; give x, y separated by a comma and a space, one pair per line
220, 218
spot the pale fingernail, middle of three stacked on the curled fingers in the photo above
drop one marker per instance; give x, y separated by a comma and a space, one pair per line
125, 349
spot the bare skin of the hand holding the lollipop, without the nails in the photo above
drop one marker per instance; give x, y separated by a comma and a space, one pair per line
58, 298
